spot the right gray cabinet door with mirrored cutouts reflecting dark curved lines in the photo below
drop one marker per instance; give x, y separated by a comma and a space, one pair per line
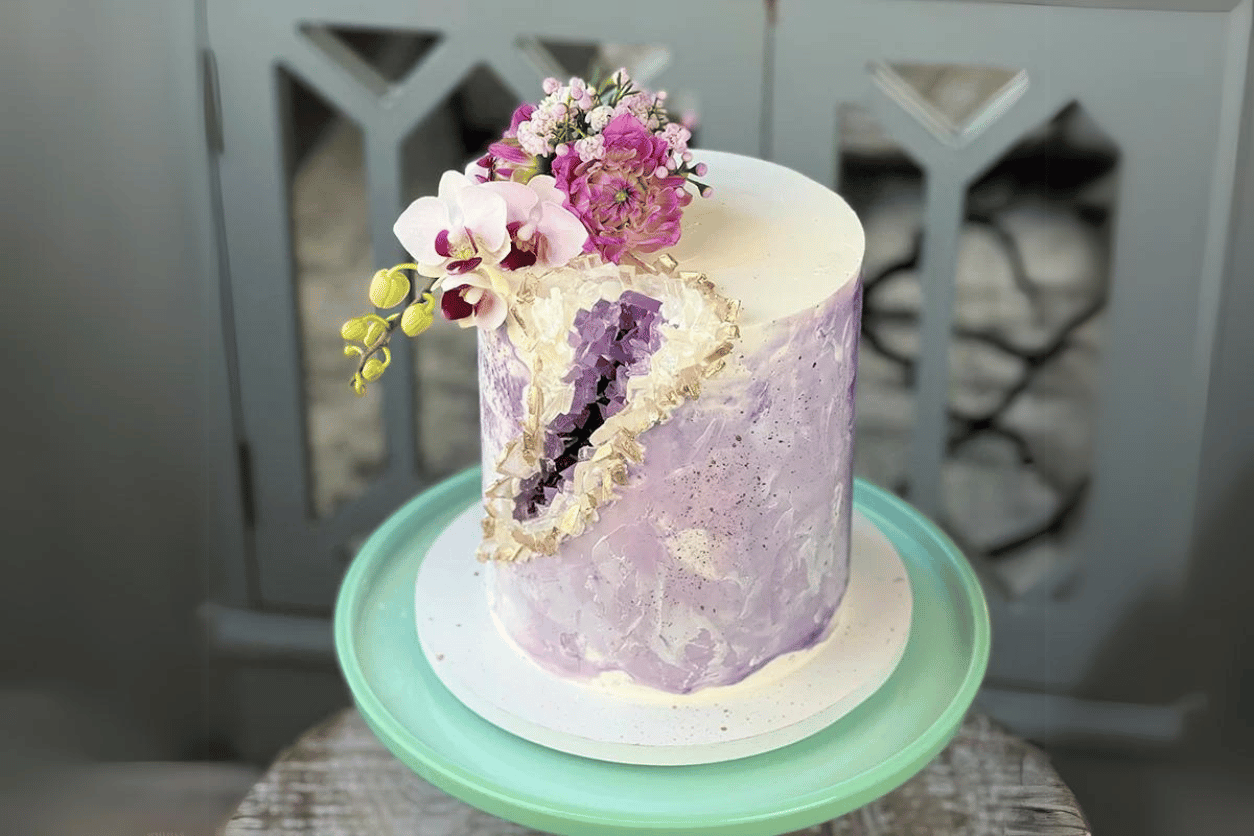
1048, 195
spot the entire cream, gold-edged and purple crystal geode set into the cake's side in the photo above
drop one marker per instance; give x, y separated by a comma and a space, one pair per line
591, 358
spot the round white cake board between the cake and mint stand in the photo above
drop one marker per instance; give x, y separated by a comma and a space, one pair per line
610, 720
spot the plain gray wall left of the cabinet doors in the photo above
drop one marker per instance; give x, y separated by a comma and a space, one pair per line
105, 263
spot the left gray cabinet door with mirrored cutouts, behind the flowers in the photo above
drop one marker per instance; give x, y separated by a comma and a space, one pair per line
334, 116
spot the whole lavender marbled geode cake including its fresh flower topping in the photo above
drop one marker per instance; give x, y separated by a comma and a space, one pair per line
667, 387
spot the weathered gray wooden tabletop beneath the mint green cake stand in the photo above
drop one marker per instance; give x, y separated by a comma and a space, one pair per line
338, 780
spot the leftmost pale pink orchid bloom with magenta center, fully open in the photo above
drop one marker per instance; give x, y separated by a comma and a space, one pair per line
457, 231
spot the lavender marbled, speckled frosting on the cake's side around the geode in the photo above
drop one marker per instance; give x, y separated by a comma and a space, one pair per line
729, 546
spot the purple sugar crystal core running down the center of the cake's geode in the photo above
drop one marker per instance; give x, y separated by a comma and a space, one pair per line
614, 343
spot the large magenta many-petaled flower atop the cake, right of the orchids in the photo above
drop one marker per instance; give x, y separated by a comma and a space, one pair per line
626, 199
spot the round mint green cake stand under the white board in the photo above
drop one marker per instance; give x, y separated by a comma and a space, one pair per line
862, 756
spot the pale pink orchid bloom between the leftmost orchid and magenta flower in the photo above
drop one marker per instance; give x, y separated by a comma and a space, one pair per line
542, 231
